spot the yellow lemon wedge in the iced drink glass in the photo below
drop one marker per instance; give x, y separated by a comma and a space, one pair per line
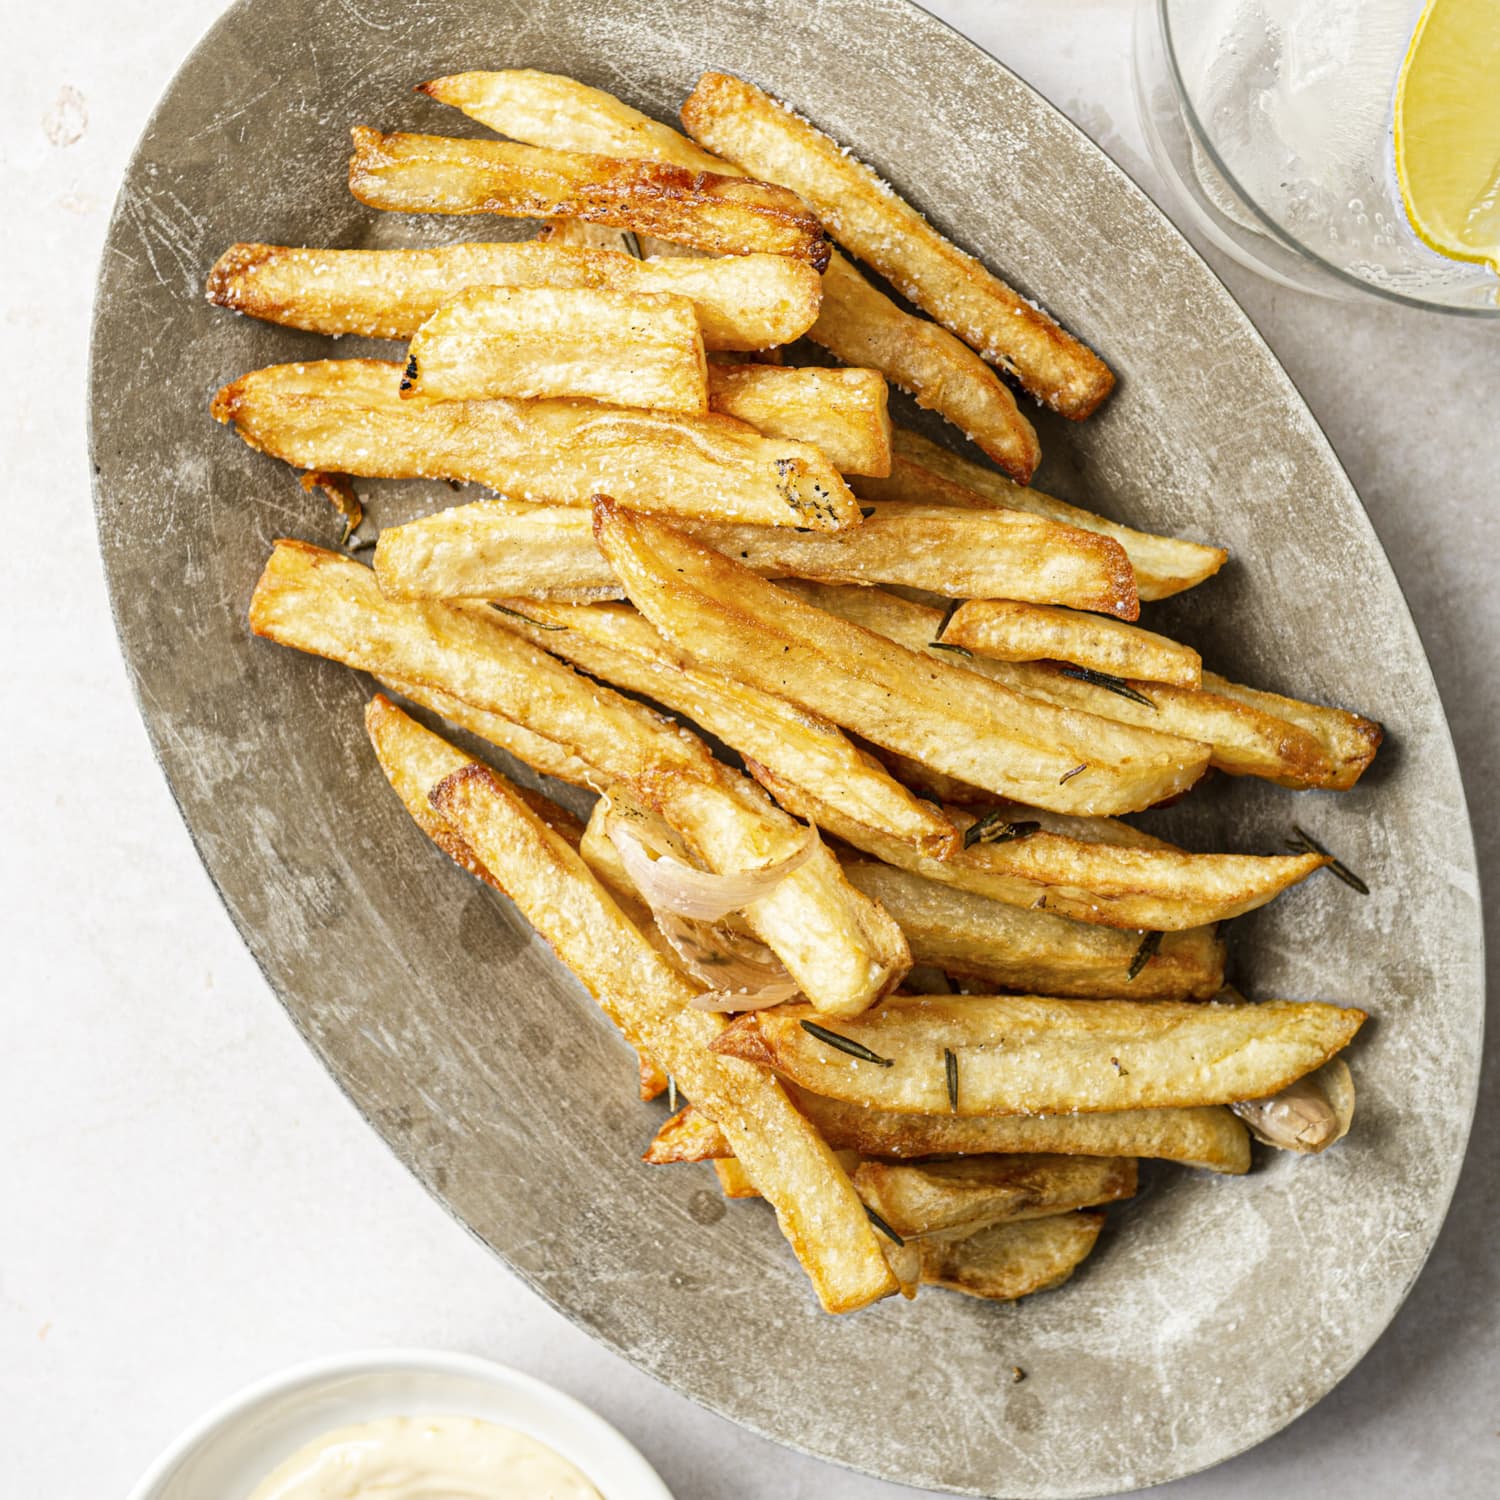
1448, 130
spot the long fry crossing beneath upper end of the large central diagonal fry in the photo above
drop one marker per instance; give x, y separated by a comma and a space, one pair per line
496, 548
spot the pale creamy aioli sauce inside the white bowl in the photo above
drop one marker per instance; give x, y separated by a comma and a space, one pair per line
425, 1459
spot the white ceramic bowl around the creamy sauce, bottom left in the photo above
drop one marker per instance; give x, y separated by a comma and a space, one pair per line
229, 1451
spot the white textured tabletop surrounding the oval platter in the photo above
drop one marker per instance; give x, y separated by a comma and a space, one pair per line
187, 1202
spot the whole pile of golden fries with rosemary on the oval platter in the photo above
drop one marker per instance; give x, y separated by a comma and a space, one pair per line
862, 713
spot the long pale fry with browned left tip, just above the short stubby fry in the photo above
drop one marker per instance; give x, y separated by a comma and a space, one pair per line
743, 302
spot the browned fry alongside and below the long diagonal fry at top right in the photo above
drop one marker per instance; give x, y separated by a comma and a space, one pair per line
862, 326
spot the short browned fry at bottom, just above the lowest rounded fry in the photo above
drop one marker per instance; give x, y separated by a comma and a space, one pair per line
955, 1199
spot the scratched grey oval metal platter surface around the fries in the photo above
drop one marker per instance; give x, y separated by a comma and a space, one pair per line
1216, 1310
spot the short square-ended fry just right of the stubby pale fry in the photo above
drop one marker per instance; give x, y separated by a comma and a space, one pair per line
844, 412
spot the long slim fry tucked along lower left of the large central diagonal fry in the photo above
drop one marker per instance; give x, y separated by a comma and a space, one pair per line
620, 647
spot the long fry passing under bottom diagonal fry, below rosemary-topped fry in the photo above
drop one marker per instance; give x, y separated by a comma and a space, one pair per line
1207, 1138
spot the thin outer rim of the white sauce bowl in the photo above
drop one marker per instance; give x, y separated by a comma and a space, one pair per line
313, 1373
